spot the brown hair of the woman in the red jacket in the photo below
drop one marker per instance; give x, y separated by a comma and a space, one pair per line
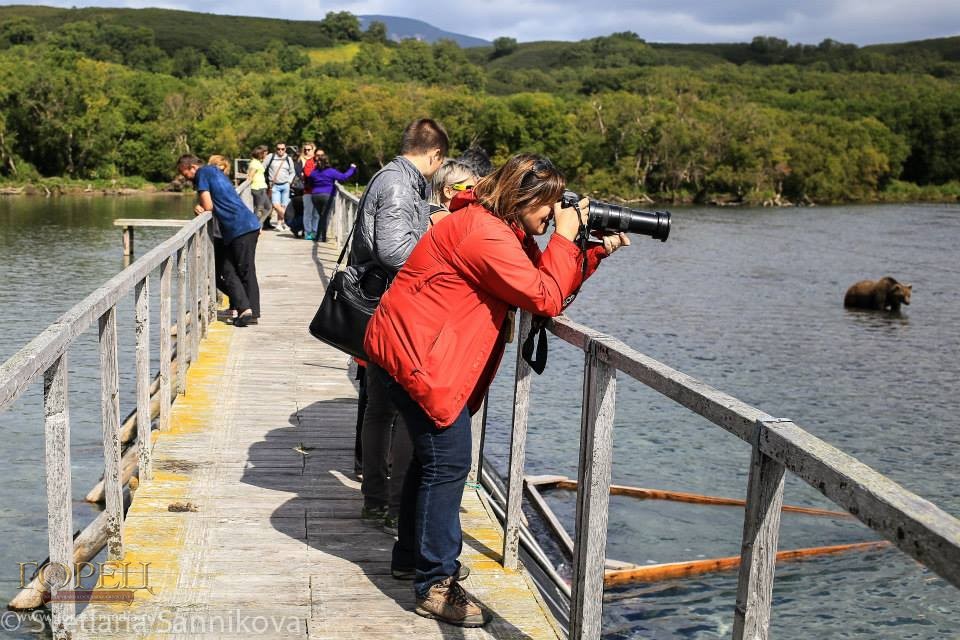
524, 181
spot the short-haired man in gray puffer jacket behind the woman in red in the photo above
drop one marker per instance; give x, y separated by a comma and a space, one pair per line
394, 216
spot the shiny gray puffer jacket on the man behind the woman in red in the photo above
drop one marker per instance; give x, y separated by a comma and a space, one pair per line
395, 213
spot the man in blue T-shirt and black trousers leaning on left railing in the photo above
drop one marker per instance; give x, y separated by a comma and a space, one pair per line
239, 228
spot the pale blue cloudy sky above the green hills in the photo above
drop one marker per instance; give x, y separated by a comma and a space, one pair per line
857, 21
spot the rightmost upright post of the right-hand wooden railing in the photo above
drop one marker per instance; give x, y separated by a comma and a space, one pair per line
758, 552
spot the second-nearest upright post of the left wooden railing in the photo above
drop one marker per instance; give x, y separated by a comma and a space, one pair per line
110, 410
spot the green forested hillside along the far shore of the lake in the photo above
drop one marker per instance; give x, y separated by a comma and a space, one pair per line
119, 94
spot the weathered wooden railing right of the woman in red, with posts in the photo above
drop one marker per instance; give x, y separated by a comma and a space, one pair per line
918, 527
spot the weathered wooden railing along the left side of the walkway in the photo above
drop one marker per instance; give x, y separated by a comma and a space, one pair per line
190, 251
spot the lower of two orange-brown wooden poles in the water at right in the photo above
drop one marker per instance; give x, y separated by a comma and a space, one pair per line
673, 570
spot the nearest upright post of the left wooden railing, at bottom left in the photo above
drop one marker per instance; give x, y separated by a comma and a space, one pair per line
59, 491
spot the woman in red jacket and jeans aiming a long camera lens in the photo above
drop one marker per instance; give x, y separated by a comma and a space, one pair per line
436, 341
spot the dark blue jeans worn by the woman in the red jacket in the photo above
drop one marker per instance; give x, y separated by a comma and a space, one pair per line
430, 538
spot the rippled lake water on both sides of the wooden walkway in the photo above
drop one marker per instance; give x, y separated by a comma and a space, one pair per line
749, 301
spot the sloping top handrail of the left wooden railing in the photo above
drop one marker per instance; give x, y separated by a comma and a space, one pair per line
42, 352
